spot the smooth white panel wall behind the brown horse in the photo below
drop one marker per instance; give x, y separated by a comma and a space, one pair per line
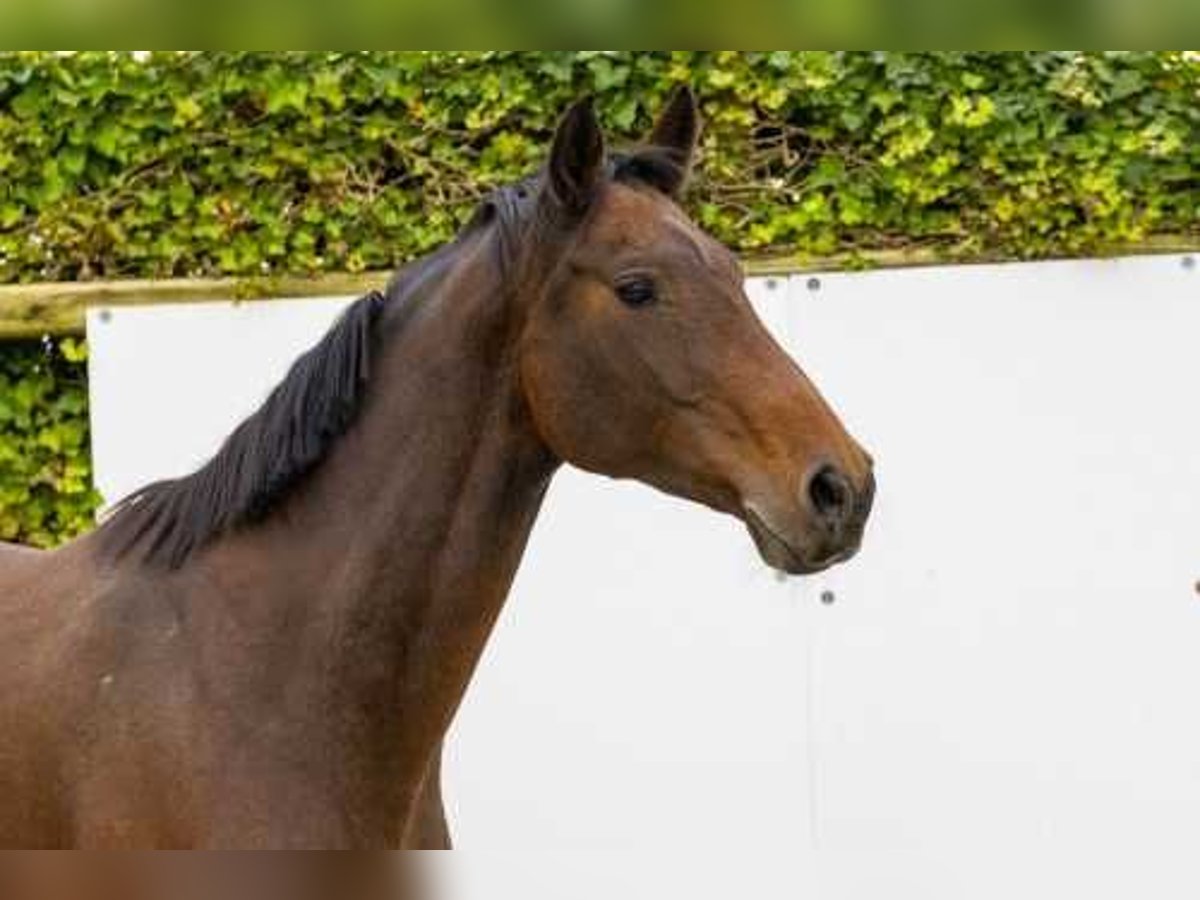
1001, 700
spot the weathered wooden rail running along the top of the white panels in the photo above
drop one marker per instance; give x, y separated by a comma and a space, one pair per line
31, 311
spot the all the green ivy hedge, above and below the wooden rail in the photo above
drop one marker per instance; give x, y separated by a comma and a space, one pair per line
167, 165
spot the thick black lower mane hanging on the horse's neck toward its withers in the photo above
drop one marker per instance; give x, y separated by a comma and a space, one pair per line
268, 454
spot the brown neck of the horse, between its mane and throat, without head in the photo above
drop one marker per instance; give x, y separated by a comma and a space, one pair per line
393, 562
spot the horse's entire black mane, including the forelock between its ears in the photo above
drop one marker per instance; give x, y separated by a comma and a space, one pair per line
274, 449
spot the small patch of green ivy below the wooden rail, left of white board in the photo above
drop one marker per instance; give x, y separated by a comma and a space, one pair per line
46, 493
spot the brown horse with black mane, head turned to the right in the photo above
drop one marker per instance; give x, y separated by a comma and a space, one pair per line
268, 653
